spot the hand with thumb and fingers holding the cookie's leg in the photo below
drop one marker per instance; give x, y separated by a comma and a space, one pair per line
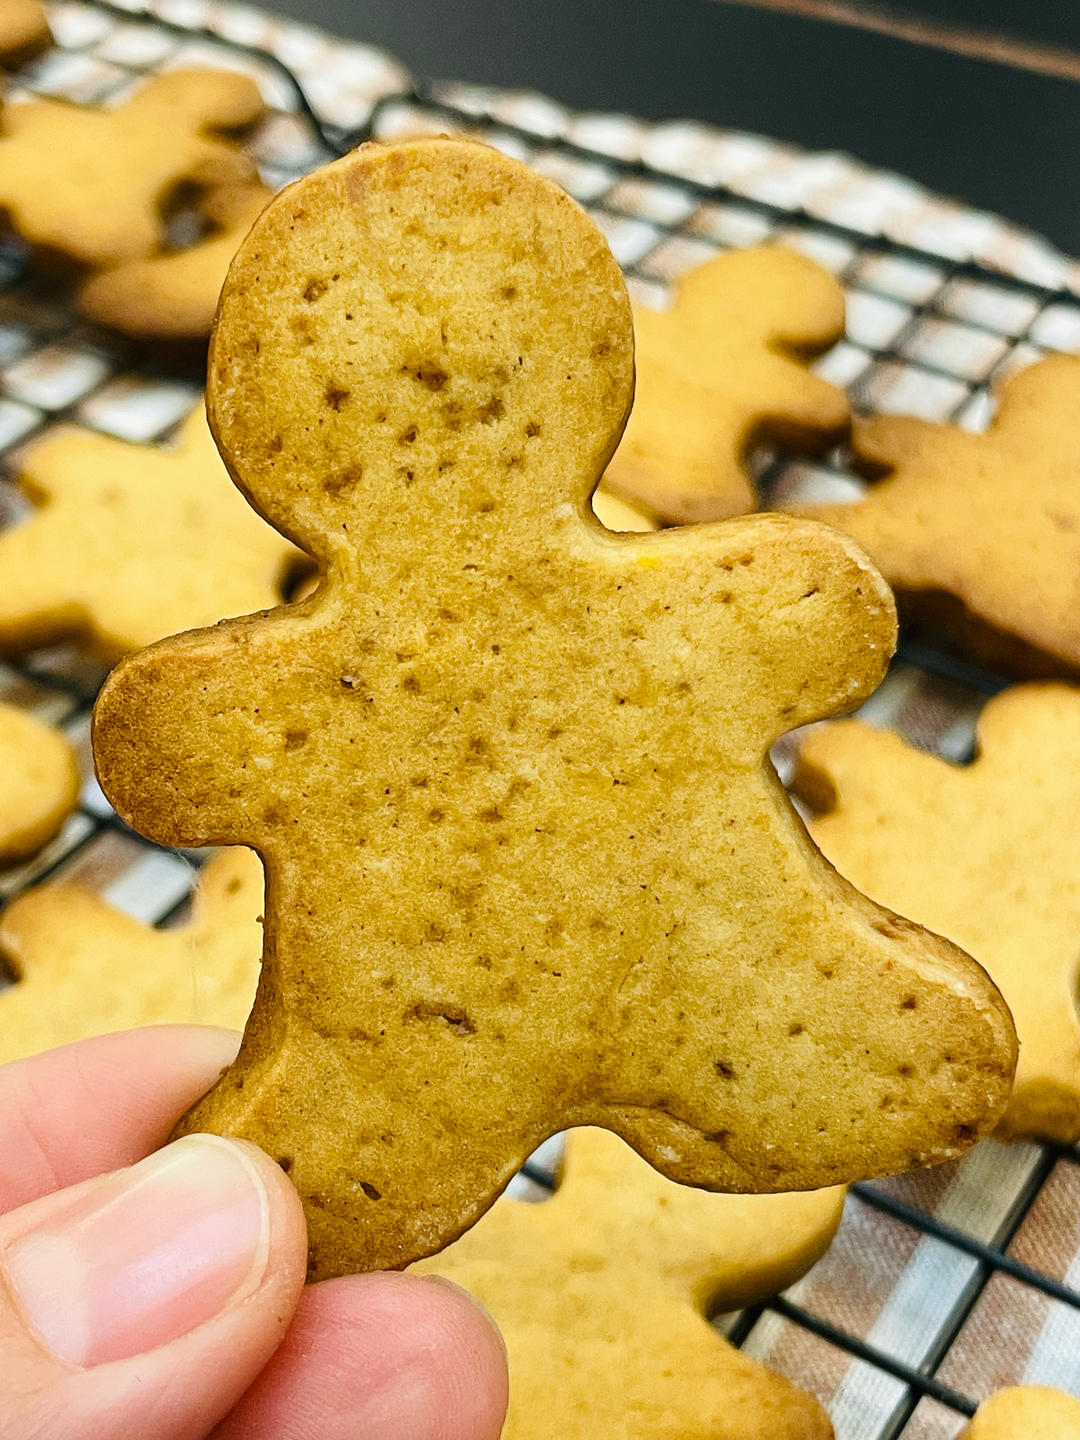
162, 1295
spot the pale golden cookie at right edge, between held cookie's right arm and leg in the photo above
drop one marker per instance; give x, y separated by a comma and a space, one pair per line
984, 855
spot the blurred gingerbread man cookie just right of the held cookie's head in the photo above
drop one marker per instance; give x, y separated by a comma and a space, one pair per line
724, 372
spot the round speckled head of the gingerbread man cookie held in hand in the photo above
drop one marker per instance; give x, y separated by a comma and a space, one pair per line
397, 326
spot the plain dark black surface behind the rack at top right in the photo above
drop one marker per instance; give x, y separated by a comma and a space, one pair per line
1000, 136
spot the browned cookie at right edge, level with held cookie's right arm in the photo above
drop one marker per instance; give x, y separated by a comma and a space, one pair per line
981, 534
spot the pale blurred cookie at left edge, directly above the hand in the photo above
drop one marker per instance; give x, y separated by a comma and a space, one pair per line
86, 968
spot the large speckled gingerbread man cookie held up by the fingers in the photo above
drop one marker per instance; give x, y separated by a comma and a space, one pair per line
509, 770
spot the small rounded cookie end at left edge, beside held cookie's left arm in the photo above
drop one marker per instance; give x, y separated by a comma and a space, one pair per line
40, 784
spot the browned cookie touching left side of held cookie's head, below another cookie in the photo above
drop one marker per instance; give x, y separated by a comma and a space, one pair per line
175, 296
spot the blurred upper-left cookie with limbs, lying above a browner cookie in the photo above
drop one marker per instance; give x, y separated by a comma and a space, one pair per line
93, 184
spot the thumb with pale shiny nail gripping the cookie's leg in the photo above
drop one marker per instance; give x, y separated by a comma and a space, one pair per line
148, 1301
